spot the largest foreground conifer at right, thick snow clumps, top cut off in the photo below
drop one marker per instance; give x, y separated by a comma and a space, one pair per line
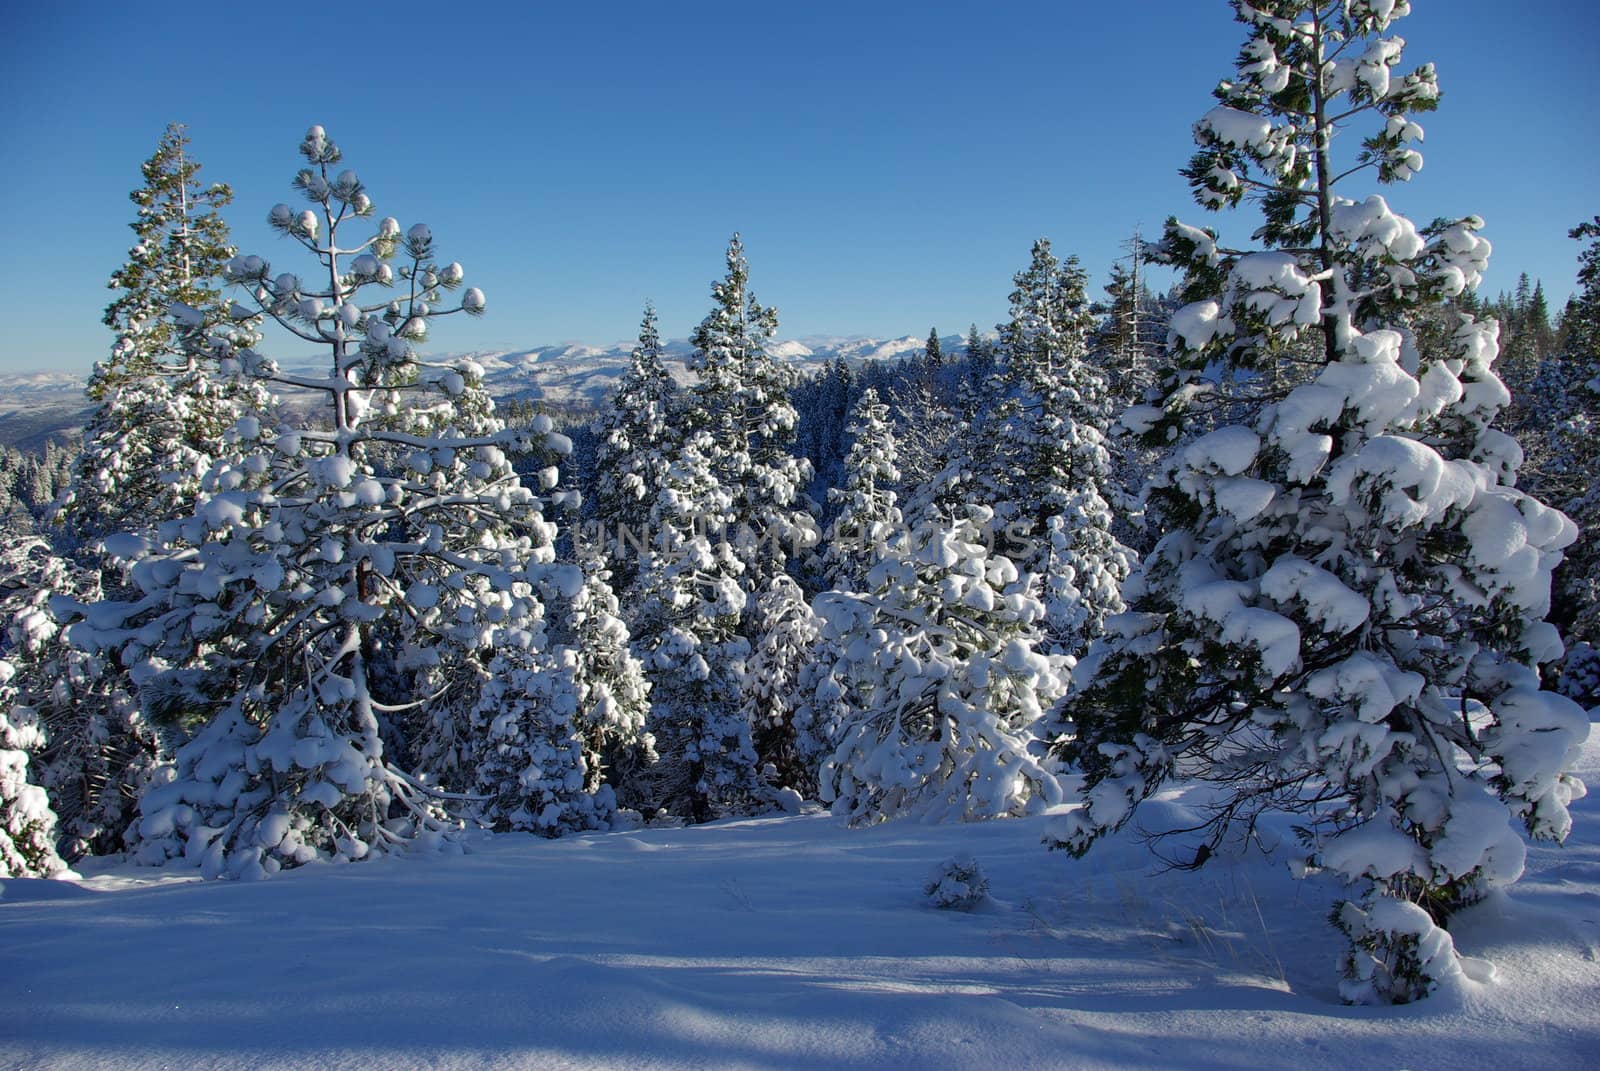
1345, 614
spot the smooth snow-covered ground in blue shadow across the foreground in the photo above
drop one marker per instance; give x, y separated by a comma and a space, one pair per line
775, 944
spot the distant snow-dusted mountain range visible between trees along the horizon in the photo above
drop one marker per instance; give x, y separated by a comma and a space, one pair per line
41, 407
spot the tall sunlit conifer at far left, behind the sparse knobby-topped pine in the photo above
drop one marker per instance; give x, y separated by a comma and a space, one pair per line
161, 414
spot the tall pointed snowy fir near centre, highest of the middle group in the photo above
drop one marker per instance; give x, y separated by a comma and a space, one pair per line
724, 527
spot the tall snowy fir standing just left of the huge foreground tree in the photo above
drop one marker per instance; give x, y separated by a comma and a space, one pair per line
1050, 463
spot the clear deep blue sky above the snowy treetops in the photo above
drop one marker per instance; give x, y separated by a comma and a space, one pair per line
889, 164
